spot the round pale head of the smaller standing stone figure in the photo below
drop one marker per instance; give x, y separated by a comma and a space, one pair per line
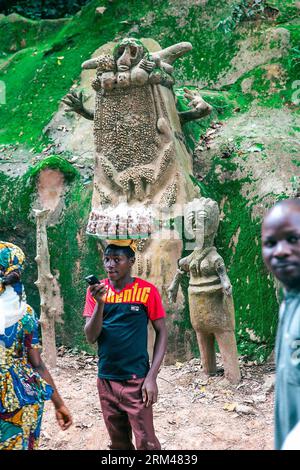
201, 217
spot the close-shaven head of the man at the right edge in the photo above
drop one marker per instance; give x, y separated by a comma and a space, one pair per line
281, 242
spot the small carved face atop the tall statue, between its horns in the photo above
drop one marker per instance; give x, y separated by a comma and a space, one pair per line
128, 53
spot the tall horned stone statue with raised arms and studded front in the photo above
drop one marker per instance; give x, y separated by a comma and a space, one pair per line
141, 163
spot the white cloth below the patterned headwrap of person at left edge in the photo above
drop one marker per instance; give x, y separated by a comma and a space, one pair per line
12, 309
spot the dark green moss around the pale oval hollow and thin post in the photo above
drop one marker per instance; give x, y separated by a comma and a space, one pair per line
72, 252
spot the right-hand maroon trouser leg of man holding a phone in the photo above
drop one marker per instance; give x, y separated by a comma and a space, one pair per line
140, 417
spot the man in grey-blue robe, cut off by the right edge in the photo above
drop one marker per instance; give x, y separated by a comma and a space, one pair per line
281, 252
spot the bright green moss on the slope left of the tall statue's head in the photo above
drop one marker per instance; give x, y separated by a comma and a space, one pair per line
49, 70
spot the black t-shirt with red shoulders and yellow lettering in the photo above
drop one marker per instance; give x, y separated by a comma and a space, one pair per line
122, 344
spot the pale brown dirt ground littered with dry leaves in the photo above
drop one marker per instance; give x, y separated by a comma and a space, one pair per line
192, 412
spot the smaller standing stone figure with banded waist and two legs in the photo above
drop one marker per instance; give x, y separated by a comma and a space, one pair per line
210, 292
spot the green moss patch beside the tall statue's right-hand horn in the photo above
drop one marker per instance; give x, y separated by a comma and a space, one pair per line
198, 25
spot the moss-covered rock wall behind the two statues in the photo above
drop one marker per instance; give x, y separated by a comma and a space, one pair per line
246, 154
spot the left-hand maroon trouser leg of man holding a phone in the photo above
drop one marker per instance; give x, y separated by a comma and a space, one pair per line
116, 420
